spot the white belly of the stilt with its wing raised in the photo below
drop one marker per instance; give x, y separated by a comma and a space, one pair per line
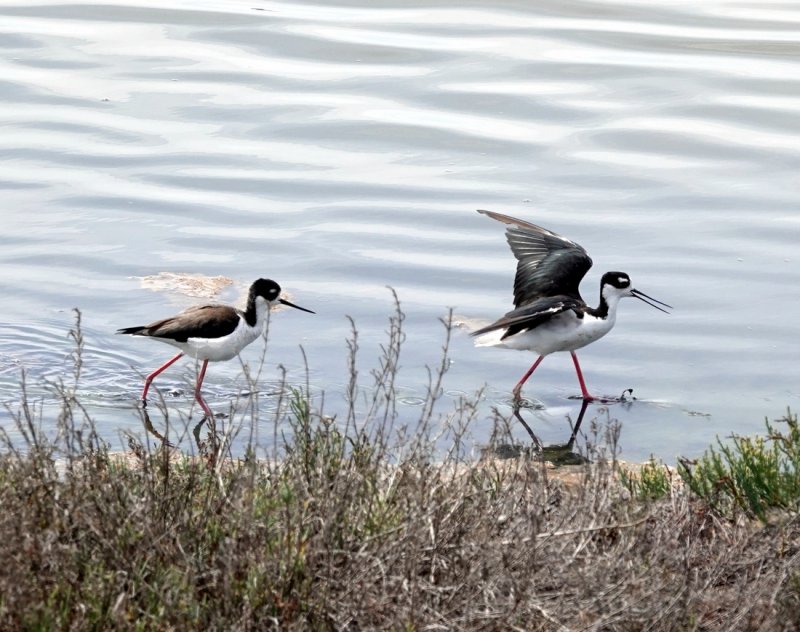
565, 332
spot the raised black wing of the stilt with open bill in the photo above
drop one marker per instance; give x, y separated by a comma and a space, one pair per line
549, 265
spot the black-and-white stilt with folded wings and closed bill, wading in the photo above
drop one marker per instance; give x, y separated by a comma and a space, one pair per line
212, 333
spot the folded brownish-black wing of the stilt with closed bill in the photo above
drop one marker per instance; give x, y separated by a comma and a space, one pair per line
204, 321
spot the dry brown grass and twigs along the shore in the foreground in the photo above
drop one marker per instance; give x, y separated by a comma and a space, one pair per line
357, 524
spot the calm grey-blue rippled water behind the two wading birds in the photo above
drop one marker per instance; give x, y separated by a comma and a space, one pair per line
341, 148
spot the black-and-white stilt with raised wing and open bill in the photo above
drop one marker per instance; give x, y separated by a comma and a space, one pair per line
549, 314
